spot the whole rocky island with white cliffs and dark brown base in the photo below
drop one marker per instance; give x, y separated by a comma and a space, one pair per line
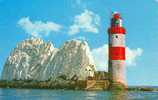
38, 64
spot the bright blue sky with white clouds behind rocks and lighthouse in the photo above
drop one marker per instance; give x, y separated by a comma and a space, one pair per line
61, 20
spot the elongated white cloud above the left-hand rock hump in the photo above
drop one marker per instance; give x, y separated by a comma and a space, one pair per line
38, 28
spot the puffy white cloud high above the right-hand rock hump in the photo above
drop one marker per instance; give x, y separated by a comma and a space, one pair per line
86, 22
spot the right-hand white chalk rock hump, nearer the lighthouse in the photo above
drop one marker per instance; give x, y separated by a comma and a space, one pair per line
74, 59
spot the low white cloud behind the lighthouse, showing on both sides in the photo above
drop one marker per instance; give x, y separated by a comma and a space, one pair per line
100, 56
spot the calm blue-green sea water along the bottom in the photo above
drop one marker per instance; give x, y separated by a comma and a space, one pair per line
43, 94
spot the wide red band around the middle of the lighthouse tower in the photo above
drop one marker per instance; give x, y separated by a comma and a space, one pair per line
117, 53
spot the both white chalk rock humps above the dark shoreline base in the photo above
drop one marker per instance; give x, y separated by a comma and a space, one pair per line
34, 59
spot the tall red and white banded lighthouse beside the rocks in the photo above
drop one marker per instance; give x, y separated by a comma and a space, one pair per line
116, 67
